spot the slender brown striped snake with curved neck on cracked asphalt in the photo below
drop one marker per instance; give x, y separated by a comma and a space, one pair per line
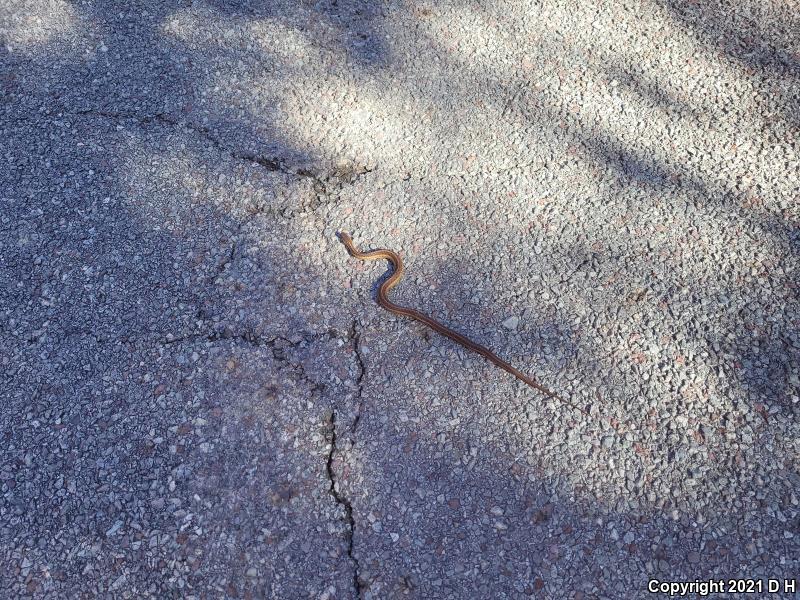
404, 311
